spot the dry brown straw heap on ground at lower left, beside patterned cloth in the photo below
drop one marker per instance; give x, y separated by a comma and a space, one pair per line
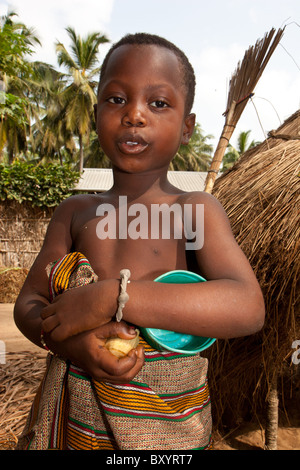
19, 380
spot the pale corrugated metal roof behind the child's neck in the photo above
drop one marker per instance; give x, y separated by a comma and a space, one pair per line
101, 179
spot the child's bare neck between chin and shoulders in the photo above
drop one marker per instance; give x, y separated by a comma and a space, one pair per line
135, 185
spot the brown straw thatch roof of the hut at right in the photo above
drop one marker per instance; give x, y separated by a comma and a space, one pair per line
261, 195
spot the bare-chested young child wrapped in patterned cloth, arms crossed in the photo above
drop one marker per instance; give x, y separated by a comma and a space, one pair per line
89, 399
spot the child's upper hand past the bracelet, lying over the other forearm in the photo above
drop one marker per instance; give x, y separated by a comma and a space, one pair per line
80, 309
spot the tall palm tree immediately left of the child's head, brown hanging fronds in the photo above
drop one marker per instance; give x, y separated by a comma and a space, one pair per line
79, 94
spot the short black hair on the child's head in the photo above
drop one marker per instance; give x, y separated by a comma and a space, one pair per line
138, 39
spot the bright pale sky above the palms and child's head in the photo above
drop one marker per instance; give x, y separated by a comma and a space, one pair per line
214, 34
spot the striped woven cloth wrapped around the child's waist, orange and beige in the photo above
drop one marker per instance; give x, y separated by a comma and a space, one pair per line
166, 406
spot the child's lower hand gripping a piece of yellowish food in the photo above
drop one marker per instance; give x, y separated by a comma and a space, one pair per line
87, 351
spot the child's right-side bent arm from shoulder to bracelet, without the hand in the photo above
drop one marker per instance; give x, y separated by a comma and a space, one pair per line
229, 305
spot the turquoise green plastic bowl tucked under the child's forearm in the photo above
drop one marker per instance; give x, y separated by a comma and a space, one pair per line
165, 340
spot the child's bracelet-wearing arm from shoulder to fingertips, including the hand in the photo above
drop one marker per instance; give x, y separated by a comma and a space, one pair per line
229, 305
